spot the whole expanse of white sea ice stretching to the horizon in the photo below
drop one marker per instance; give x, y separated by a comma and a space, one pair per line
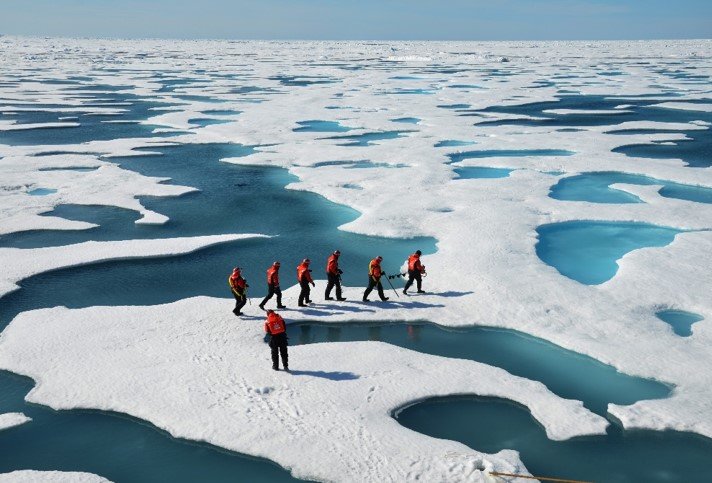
486, 231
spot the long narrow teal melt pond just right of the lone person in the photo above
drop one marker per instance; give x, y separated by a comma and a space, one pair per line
565, 373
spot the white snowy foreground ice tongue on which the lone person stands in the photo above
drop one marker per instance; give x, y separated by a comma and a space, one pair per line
192, 369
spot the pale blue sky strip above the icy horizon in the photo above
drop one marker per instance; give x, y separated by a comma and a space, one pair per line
360, 19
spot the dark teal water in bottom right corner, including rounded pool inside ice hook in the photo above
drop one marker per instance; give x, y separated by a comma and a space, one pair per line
619, 456
